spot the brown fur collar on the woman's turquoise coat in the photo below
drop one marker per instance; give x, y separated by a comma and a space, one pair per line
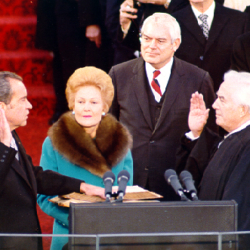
97, 156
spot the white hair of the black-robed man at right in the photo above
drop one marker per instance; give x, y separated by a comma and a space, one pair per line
239, 83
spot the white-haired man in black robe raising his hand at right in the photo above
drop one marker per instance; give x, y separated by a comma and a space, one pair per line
221, 166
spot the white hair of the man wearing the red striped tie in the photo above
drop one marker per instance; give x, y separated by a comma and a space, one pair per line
165, 20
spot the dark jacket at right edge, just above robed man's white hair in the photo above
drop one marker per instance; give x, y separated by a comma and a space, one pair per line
241, 53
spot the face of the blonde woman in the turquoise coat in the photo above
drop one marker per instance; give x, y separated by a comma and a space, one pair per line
88, 108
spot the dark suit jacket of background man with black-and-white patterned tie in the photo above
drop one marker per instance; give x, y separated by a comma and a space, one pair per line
214, 54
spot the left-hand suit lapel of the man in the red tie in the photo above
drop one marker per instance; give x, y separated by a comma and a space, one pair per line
140, 79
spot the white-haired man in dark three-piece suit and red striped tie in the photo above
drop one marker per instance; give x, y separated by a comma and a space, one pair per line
157, 116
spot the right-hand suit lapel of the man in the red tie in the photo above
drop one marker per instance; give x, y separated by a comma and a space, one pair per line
173, 87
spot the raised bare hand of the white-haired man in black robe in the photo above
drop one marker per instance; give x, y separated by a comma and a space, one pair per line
198, 114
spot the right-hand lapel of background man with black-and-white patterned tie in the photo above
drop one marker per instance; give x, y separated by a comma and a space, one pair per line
219, 21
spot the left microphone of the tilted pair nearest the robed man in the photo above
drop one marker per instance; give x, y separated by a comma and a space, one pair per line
172, 179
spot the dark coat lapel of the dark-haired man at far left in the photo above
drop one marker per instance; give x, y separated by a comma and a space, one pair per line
29, 175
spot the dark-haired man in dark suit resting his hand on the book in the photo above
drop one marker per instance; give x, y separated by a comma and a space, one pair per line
20, 180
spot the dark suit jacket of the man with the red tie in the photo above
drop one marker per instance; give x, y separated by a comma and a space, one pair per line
154, 147
